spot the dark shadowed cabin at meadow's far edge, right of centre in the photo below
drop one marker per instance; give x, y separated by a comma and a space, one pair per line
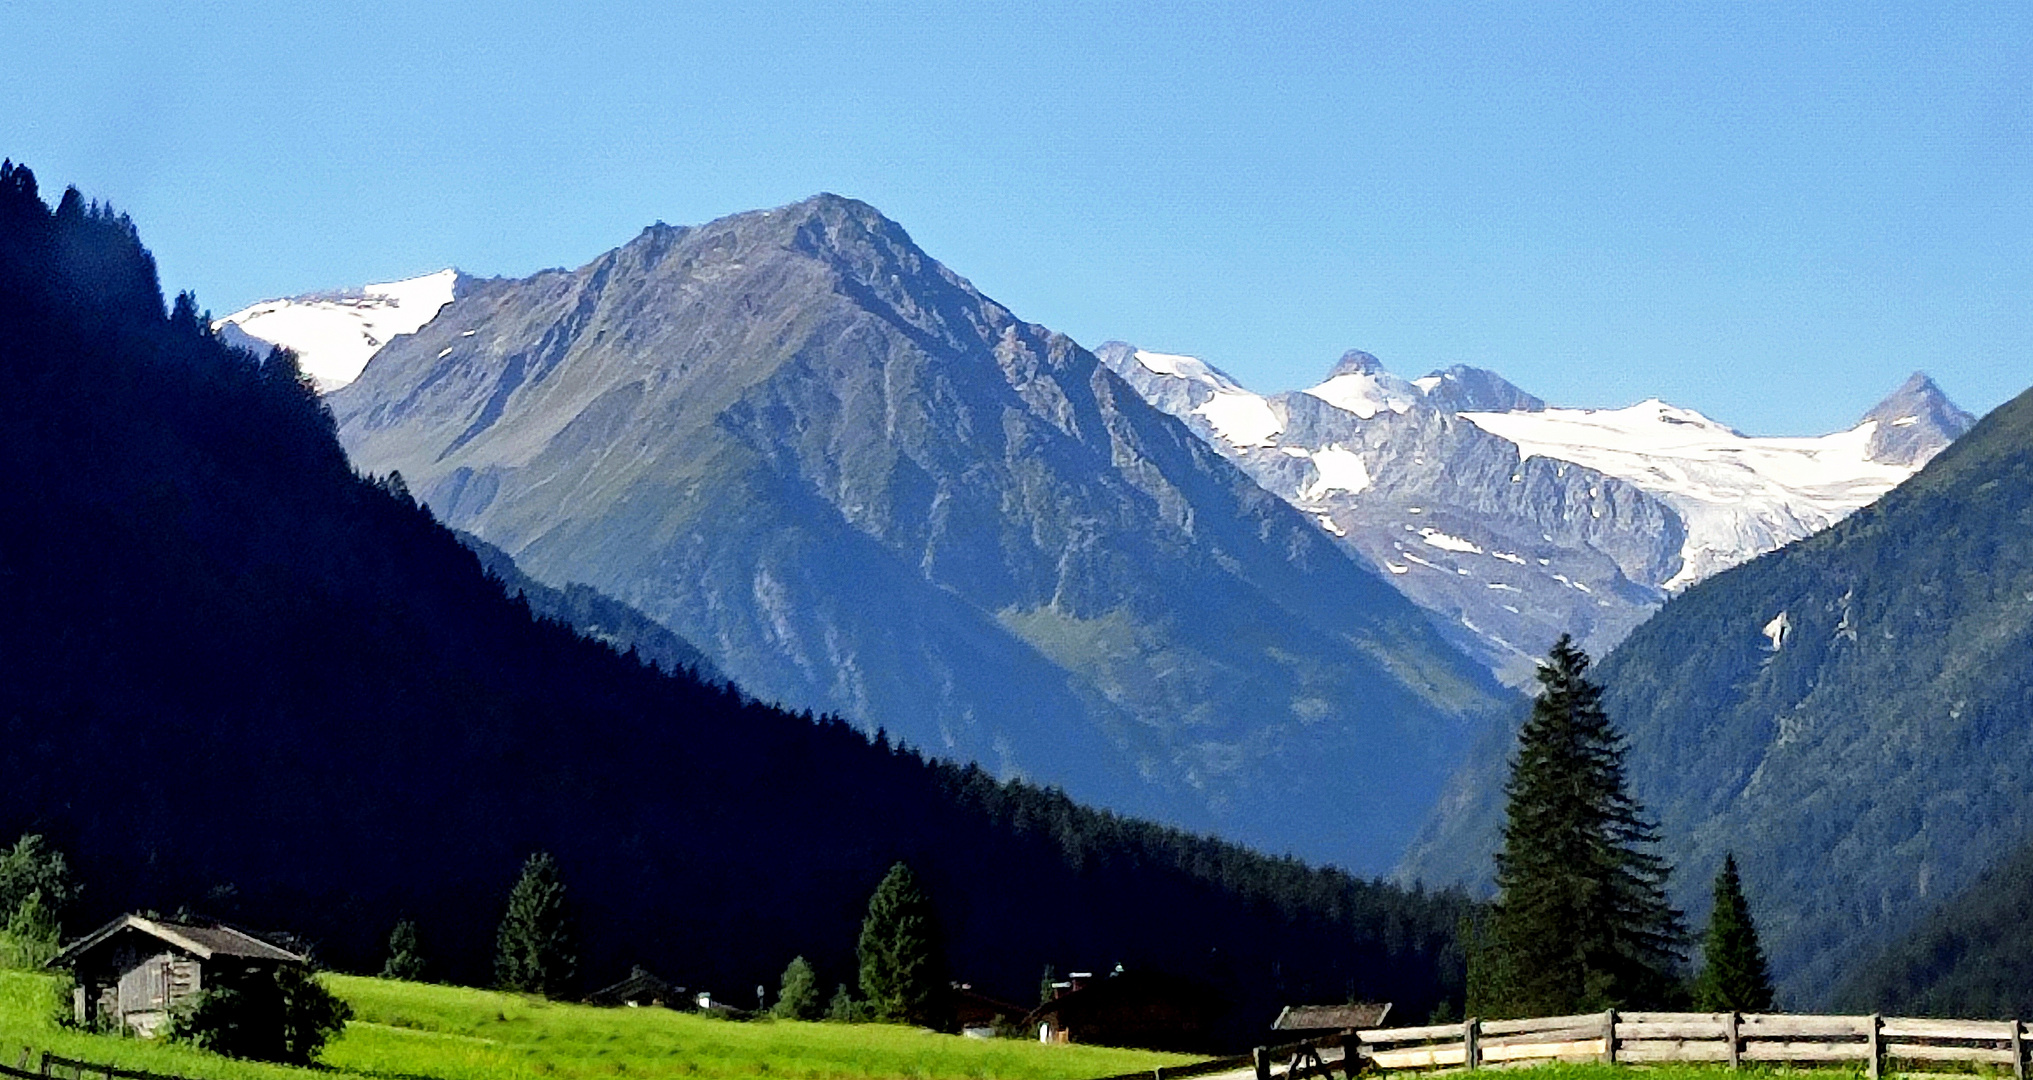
1135, 1010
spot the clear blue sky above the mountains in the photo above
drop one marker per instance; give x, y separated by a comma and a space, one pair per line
1770, 213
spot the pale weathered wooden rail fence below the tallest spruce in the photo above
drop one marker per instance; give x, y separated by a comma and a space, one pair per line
1721, 1038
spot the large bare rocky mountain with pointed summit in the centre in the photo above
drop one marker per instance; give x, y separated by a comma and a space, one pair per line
863, 487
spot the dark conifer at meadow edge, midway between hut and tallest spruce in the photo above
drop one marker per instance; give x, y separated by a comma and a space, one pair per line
902, 953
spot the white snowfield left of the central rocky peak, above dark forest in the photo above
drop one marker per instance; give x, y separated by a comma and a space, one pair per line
336, 335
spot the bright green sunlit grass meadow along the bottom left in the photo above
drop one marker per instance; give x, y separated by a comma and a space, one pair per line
416, 1032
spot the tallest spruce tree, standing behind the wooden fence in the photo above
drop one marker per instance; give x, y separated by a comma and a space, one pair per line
1581, 920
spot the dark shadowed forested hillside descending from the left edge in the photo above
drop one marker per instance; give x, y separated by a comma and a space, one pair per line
239, 678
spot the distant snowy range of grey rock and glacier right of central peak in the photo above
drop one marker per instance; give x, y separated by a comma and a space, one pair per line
1512, 522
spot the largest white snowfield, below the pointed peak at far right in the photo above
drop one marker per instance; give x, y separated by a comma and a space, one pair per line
1737, 495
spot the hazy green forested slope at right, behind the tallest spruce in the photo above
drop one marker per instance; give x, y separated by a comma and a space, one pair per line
1849, 715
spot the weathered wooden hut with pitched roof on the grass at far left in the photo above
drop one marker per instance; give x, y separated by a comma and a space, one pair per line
133, 971
